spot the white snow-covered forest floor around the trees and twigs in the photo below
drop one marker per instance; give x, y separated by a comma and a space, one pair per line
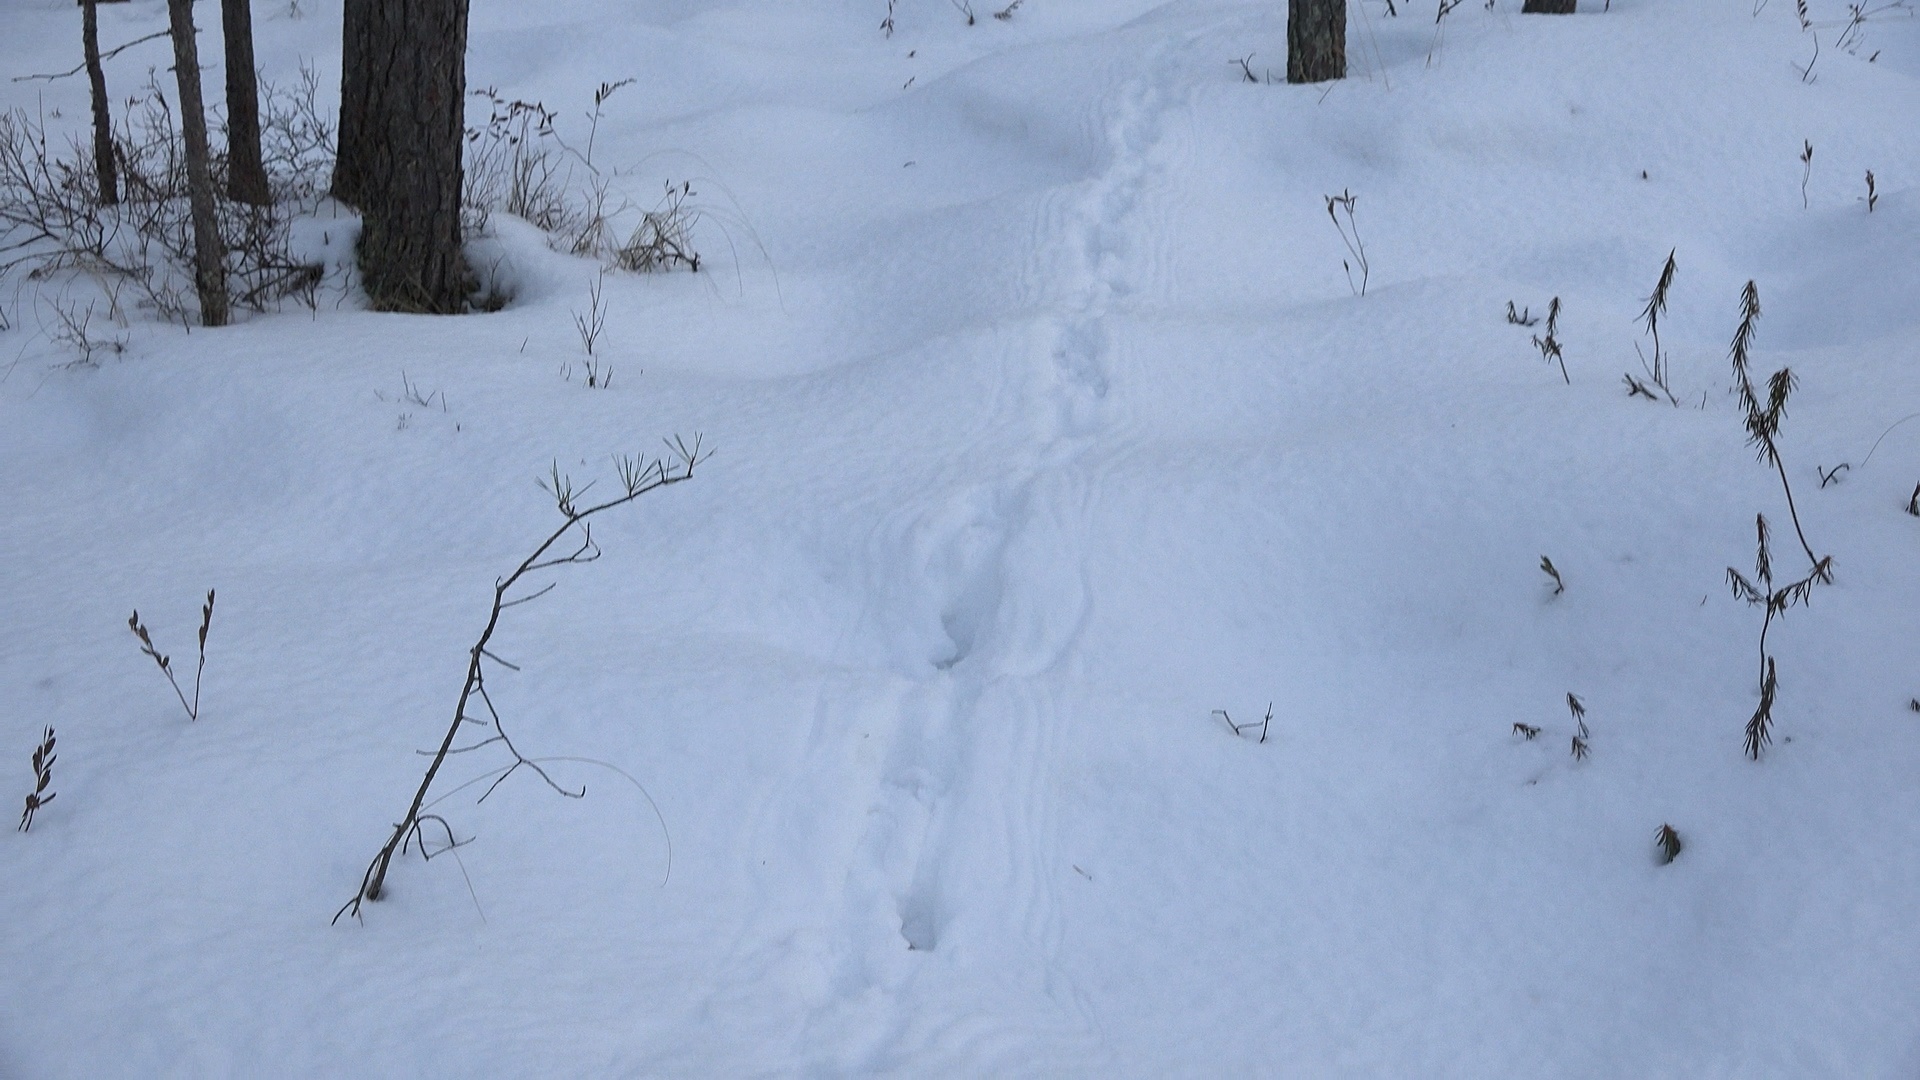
1045, 424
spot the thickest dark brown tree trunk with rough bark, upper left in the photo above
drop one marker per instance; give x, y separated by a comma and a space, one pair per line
414, 62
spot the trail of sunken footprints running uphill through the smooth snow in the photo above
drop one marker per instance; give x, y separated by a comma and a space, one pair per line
967, 781
